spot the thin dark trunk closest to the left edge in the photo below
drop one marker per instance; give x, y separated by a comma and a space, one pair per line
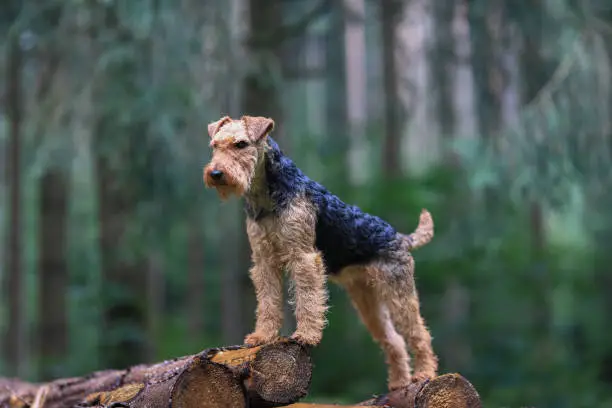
14, 343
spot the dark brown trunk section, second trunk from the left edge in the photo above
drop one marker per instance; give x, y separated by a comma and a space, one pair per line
53, 272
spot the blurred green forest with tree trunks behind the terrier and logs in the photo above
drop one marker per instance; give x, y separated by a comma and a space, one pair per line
493, 114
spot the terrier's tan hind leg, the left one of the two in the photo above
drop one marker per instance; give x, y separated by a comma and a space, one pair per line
375, 315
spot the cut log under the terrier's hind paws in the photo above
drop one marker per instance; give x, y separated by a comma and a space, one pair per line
445, 391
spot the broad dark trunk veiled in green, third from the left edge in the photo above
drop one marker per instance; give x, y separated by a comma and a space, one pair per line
121, 149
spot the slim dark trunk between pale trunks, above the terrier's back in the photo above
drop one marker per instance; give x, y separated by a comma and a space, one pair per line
390, 13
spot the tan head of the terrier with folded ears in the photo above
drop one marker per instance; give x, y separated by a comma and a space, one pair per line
237, 151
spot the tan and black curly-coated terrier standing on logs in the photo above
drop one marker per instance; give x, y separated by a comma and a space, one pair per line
295, 224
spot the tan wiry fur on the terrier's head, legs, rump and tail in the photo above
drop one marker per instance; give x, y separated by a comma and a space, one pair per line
383, 292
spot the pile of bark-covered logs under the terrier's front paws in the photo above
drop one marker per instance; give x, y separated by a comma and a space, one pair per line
257, 377
